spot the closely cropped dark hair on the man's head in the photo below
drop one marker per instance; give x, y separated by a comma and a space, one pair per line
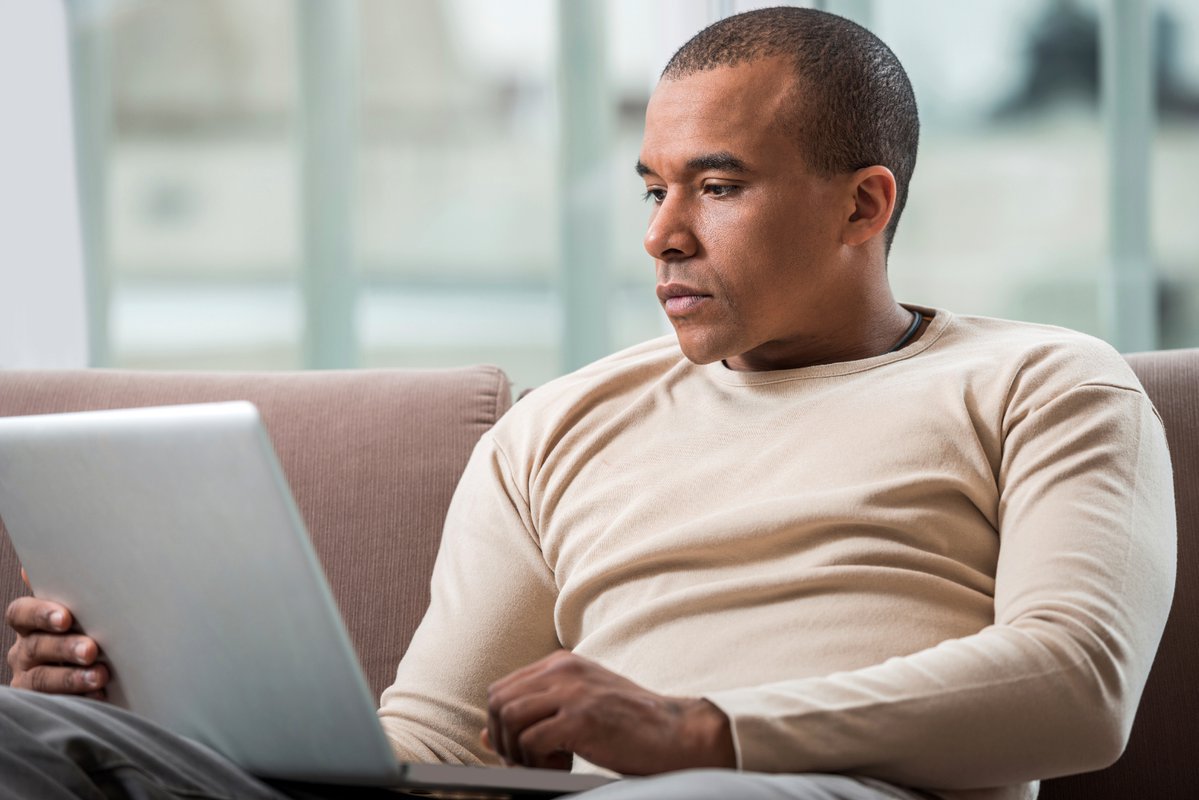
854, 106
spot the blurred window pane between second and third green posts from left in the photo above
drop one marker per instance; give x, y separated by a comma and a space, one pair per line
456, 181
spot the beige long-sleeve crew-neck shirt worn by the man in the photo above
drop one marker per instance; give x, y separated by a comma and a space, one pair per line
948, 568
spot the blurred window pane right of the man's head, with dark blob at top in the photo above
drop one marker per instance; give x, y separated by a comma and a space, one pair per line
1008, 215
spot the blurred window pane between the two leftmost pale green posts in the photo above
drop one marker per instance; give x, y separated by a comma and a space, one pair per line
202, 185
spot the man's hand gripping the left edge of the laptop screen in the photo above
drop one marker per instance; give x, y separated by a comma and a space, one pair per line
49, 657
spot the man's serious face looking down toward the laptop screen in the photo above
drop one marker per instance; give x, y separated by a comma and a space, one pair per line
746, 239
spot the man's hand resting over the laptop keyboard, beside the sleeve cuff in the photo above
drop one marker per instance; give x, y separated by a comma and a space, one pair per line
565, 705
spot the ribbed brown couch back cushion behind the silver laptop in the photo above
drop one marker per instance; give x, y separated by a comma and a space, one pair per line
372, 458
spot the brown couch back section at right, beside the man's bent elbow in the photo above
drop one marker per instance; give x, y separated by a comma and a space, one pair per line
1161, 760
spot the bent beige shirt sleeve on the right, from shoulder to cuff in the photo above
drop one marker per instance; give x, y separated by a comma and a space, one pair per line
1083, 587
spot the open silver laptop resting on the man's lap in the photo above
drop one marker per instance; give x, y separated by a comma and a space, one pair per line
173, 537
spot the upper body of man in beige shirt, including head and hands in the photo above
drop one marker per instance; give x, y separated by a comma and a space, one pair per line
824, 544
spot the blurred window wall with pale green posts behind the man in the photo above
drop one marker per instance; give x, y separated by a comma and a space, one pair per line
299, 184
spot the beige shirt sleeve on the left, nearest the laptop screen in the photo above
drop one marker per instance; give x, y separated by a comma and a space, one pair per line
491, 612
